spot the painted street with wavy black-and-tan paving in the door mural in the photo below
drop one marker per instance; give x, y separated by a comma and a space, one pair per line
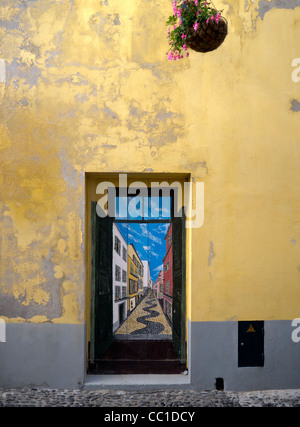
146, 319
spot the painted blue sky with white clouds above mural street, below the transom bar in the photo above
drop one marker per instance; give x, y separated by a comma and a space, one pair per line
149, 242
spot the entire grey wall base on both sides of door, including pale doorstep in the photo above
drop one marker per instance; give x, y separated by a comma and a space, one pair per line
53, 356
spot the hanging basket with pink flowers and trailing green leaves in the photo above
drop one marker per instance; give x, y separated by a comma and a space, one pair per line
198, 25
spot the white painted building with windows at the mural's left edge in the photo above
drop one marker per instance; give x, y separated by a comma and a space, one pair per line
119, 278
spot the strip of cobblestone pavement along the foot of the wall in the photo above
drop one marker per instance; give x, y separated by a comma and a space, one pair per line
155, 398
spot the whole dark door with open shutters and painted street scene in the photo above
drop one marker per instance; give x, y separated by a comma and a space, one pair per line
138, 291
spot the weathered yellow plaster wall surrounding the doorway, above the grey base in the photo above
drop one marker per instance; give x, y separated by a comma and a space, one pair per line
87, 88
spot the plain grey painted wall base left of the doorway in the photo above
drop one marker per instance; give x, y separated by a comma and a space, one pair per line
43, 355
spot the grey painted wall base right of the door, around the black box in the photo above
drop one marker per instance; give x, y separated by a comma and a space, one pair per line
214, 354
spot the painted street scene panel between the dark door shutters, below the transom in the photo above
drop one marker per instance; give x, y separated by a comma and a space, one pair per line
142, 281
